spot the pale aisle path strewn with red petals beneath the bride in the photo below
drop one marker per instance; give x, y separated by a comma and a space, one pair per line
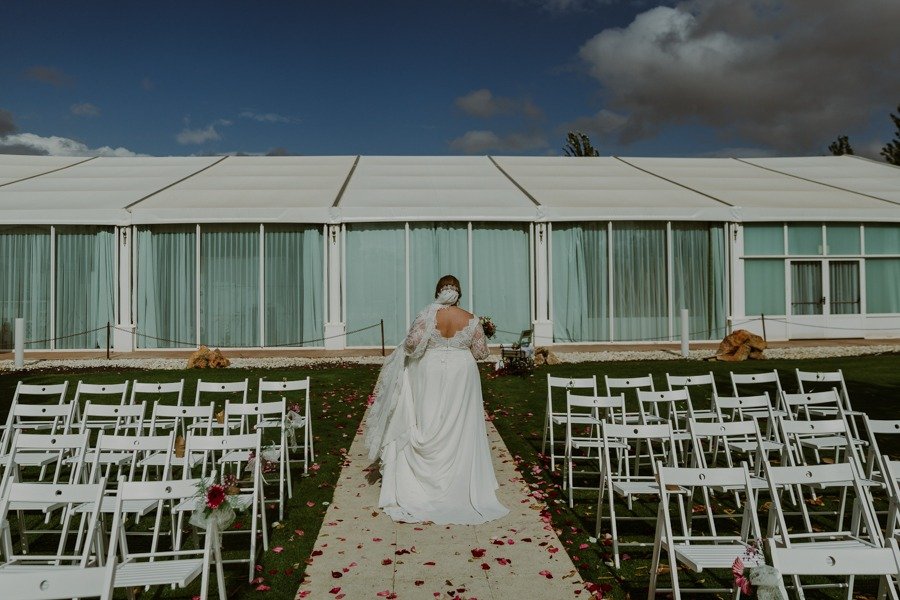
362, 553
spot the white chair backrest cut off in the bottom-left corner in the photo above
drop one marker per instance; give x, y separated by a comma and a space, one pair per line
49, 583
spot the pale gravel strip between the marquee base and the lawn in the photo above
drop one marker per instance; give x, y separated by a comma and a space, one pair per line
807, 352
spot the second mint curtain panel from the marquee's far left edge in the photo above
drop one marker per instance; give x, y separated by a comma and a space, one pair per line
85, 285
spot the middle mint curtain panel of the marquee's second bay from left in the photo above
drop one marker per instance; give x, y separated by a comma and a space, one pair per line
229, 285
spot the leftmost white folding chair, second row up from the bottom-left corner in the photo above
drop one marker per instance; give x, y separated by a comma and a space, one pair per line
24, 498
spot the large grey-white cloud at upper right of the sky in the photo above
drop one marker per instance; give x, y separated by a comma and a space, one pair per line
788, 74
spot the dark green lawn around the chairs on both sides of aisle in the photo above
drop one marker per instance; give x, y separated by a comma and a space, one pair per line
516, 405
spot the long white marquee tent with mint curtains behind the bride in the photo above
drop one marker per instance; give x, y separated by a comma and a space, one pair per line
318, 250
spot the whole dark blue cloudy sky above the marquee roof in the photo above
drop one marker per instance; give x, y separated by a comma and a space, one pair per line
694, 78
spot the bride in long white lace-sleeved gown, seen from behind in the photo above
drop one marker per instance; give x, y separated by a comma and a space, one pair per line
427, 422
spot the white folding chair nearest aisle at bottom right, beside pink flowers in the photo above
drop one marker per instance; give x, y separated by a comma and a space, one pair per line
706, 550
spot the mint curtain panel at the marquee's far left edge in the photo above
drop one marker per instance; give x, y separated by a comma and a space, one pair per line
25, 283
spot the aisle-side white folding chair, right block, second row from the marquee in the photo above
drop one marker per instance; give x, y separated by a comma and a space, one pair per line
587, 414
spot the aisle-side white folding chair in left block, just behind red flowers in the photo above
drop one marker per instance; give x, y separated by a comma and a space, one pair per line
235, 451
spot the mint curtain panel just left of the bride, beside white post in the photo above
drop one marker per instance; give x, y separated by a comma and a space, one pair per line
376, 283
